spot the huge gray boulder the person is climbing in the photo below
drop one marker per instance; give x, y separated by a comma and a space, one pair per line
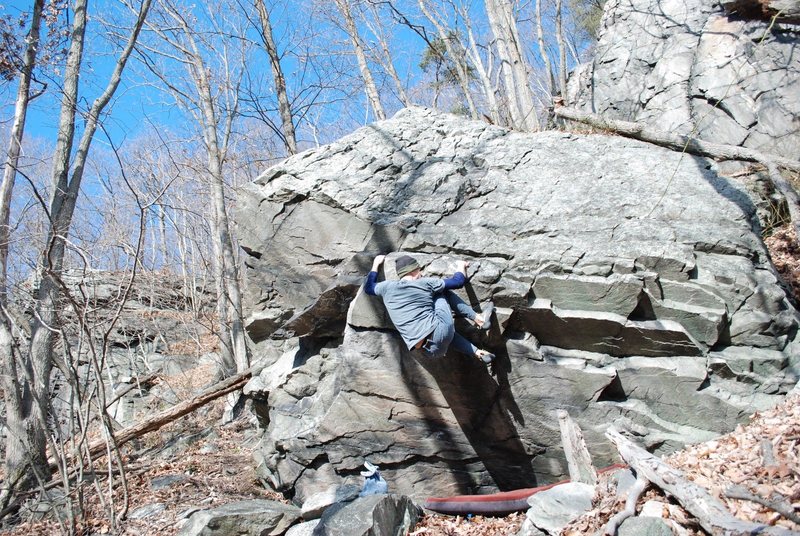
629, 284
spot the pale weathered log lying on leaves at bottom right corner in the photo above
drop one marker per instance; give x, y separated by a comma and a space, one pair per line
710, 513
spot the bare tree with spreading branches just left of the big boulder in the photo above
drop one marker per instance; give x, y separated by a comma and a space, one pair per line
214, 109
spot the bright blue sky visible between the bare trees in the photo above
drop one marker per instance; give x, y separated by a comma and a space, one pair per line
139, 104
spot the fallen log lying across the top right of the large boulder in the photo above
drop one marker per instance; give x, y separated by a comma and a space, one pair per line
699, 147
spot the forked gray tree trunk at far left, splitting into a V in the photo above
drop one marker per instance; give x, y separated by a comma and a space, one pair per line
34, 375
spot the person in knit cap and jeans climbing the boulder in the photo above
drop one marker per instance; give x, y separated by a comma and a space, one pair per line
421, 308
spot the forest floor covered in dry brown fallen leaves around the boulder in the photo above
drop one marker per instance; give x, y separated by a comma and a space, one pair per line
159, 492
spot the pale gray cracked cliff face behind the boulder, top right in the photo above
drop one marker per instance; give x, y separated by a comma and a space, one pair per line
692, 67
